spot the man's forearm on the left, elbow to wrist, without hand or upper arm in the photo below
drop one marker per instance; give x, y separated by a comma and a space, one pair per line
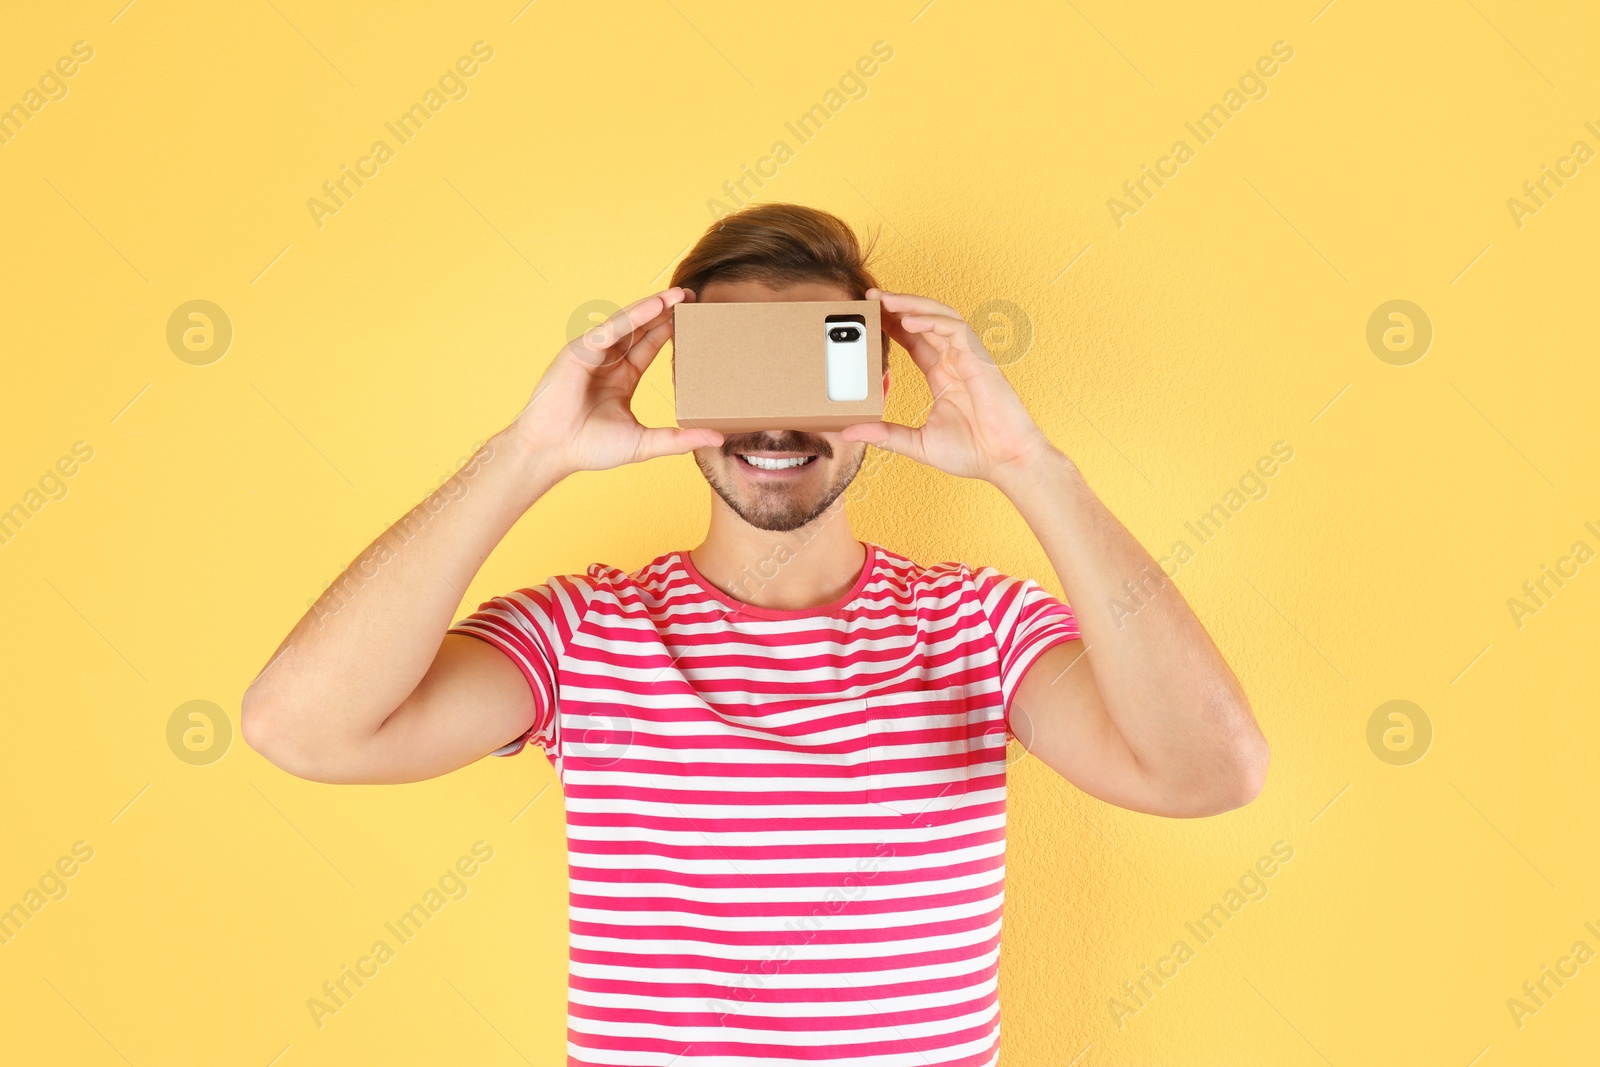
370, 637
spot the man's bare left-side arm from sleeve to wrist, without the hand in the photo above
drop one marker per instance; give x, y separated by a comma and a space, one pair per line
369, 687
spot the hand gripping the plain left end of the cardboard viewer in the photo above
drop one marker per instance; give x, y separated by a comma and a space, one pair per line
582, 409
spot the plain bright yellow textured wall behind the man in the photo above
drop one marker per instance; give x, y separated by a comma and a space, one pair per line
1226, 316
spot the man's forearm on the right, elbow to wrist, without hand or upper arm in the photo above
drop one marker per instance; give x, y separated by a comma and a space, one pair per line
1166, 687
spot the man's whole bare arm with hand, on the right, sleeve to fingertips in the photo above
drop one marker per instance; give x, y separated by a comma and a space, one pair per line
1142, 713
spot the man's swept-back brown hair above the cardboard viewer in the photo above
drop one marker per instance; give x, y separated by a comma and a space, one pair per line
778, 244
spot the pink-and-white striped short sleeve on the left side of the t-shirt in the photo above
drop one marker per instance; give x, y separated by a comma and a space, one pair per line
534, 628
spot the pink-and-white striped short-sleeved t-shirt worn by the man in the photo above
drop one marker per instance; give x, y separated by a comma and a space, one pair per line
786, 829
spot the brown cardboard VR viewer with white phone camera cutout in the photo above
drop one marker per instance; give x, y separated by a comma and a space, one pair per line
778, 366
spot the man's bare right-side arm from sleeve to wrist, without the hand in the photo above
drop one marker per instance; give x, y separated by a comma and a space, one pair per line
1143, 711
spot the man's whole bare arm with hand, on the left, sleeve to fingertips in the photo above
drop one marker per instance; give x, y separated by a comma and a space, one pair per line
369, 687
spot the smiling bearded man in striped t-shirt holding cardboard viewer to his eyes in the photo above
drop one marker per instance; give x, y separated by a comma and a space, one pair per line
785, 753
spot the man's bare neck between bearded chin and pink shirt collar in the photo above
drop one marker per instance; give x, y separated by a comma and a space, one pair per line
782, 572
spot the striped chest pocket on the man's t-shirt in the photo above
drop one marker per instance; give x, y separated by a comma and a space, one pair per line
929, 753
